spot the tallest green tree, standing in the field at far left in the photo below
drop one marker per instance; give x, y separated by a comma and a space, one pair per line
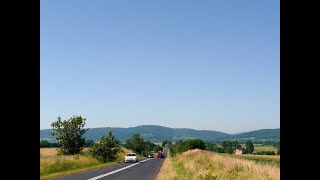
69, 134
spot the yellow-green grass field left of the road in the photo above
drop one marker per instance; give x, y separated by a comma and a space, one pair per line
53, 165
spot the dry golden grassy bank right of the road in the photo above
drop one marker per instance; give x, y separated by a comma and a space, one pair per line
200, 164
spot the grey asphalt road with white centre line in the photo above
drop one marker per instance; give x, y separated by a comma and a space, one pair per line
144, 169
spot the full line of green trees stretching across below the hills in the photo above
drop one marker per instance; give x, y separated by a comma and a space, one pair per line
70, 140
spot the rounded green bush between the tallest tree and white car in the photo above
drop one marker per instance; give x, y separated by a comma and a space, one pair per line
106, 149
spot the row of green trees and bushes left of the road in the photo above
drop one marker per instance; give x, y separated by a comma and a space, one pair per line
70, 141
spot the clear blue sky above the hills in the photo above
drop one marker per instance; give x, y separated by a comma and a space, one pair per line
205, 65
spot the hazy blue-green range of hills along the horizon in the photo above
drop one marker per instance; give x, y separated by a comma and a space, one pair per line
160, 133
